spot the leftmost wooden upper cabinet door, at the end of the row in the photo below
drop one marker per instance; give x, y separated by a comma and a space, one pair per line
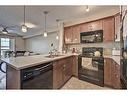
68, 31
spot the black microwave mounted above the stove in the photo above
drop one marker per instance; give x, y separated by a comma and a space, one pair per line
91, 36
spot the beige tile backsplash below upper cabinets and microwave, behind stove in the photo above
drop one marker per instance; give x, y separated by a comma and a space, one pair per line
108, 47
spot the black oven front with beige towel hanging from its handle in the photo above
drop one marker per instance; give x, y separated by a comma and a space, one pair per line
91, 70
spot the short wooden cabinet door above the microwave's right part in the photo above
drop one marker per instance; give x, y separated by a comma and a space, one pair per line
95, 25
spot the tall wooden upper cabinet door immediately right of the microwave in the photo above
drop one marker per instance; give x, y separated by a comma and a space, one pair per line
108, 29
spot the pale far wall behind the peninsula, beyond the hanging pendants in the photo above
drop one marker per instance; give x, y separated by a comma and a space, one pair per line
39, 44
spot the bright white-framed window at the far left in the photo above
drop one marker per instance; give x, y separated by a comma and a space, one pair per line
5, 43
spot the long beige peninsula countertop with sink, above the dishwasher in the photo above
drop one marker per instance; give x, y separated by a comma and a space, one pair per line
28, 61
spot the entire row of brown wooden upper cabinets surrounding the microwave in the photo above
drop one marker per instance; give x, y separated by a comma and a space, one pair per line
109, 25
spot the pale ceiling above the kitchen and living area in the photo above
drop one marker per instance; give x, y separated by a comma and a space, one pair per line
13, 16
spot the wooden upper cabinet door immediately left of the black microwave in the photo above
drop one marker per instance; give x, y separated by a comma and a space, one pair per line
76, 34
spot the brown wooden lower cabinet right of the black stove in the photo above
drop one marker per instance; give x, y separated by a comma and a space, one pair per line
111, 73
